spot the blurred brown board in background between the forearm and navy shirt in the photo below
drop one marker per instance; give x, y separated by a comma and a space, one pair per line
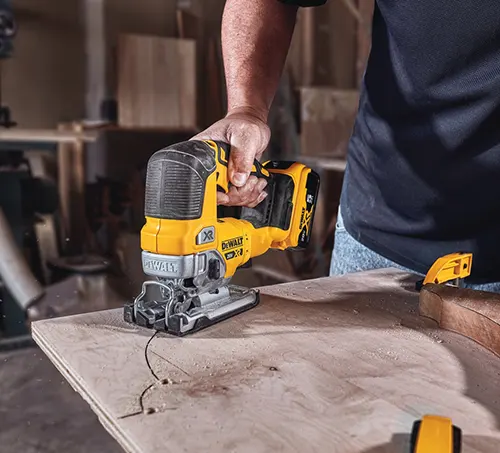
327, 119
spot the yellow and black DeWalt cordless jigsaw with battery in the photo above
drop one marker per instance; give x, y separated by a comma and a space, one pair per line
190, 253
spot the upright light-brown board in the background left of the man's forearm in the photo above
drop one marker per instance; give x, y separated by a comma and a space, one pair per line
157, 82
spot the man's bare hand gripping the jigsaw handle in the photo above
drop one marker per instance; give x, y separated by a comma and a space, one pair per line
248, 134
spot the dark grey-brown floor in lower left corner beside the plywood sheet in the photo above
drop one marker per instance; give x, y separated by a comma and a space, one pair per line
40, 412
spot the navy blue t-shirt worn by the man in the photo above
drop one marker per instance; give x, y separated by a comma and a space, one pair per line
423, 173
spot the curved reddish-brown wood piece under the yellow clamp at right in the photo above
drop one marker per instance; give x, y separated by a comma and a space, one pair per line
474, 314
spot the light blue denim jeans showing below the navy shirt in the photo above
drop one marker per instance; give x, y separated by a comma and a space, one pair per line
351, 256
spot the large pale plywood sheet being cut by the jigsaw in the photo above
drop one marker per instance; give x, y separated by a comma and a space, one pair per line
343, 365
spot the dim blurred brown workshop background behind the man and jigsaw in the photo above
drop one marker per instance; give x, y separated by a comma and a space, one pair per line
90, 89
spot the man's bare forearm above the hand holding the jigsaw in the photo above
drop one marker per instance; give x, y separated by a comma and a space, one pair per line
256, 37
